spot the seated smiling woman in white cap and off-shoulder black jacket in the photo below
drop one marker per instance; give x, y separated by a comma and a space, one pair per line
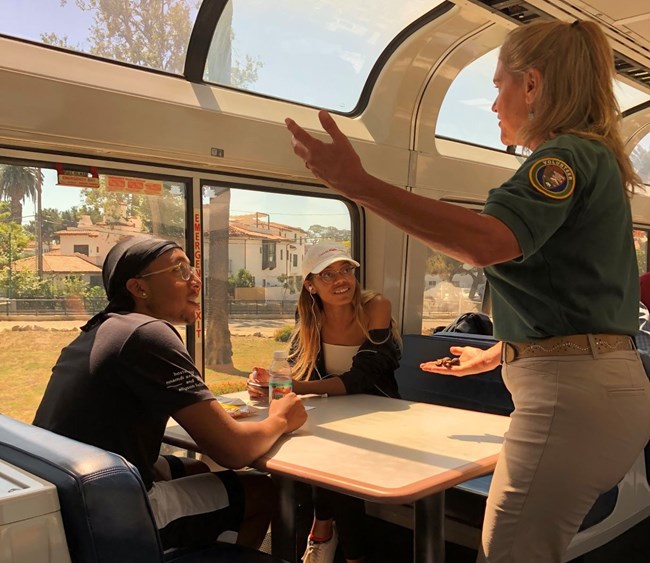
344, 342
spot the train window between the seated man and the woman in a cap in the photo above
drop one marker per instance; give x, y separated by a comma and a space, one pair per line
252, 270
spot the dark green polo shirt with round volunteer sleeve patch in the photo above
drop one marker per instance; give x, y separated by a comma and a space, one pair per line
578, 272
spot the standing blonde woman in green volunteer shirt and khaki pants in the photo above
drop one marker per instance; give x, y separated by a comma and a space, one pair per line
556, 243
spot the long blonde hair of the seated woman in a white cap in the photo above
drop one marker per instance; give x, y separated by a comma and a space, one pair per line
305, 338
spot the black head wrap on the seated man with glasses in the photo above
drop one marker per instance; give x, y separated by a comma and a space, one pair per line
125, 261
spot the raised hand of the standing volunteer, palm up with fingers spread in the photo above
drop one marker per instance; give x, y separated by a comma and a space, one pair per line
336, 163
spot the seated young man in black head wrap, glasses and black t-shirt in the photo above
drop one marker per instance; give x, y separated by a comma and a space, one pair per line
116, 385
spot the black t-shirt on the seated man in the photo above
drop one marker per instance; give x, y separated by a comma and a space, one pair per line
116, 386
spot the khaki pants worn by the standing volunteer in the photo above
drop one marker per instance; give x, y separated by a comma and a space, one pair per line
579, 424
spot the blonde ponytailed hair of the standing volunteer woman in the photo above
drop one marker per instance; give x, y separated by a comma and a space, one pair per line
576, 94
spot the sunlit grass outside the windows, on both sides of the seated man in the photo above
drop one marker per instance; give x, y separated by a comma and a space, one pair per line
27, 357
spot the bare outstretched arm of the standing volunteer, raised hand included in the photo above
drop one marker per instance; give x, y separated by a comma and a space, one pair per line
472, 238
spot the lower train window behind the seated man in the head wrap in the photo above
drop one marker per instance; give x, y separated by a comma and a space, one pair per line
56, 228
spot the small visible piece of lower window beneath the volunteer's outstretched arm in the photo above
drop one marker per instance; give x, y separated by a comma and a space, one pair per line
451, 288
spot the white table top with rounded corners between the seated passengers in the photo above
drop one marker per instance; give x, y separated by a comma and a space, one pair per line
385, 450
